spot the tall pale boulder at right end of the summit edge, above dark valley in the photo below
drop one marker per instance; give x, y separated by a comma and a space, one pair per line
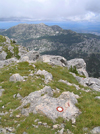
79, 64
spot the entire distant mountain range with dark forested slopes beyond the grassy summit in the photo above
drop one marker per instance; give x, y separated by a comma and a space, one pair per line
57, 41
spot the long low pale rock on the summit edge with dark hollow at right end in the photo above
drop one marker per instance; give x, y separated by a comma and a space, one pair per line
54, 60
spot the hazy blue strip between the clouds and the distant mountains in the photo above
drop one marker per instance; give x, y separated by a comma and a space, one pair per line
82, 27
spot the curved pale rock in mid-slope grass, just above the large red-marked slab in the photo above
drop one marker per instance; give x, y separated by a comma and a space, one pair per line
47, 75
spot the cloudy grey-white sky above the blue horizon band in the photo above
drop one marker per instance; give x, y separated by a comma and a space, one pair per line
52, 10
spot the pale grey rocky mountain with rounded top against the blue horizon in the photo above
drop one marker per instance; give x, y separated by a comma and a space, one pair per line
29, 31
